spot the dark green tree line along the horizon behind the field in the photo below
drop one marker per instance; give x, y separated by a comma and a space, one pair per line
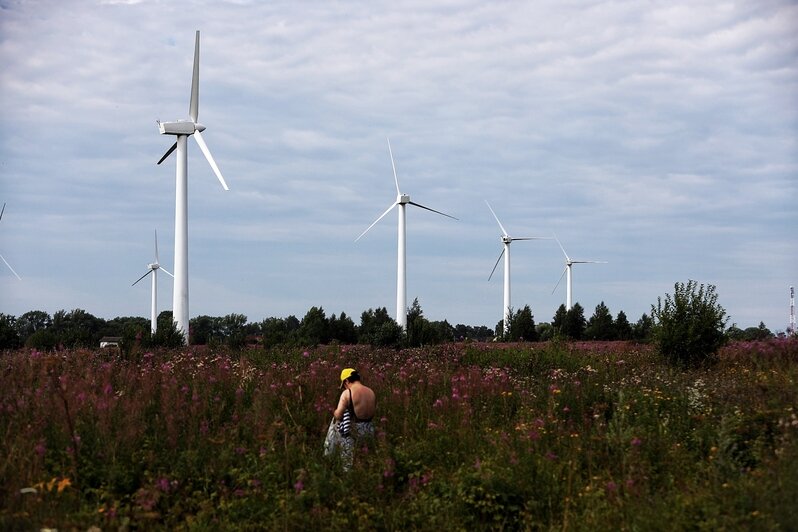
78, 328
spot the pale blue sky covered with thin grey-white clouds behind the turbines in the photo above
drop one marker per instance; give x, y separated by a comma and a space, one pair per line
659, 136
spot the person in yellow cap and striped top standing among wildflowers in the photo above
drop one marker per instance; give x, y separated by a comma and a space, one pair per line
360, 402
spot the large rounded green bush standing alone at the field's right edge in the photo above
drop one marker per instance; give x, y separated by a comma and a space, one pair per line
689, 327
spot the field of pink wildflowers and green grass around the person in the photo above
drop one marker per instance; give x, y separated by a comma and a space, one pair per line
581, 436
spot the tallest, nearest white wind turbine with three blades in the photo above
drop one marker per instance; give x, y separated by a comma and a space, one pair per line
183, 129
